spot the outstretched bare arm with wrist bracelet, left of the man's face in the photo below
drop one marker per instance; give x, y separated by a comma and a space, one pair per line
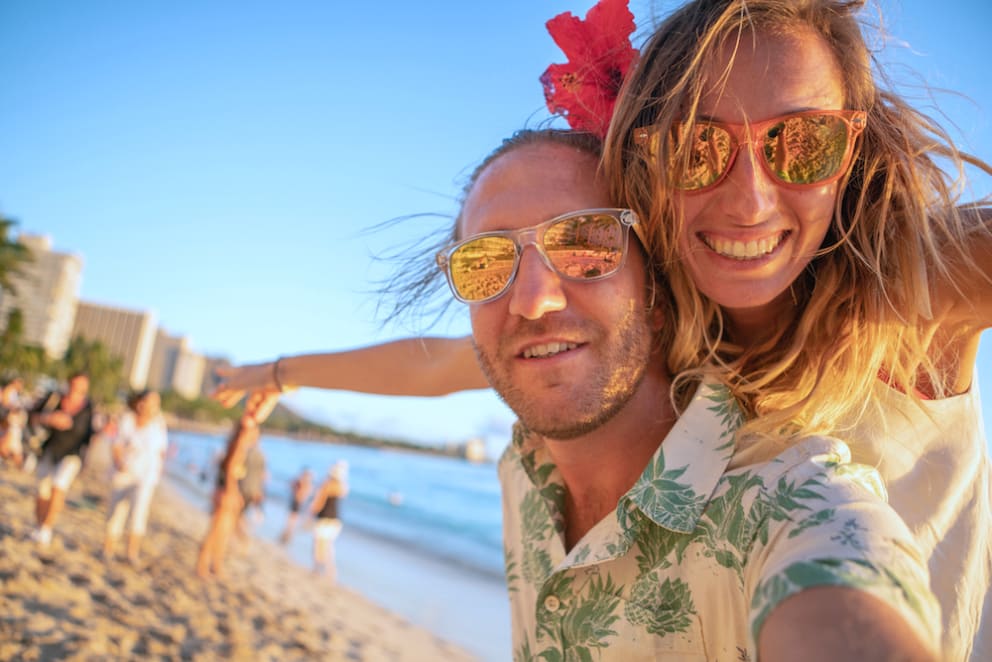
412, 366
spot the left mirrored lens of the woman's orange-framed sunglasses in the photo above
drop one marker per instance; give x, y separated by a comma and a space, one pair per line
700, 154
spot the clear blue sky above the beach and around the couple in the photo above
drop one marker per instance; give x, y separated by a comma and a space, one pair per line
221, 163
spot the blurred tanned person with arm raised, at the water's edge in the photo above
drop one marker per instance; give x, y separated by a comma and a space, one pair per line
228, 503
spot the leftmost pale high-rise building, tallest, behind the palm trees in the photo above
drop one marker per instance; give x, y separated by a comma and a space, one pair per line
46, 293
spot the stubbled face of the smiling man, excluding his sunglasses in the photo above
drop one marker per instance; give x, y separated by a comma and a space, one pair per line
565, 356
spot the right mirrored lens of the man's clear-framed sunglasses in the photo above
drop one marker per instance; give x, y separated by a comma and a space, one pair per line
585, 247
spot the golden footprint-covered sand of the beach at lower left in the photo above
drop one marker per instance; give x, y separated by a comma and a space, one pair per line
67, 603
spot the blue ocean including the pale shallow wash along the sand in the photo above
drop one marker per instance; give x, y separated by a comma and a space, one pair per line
422, 533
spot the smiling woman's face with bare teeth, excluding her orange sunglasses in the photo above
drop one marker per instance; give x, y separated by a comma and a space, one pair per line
747, 239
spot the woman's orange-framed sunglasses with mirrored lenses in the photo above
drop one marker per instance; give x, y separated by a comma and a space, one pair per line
796, 150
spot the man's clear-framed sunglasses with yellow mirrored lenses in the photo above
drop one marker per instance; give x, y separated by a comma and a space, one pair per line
582, 245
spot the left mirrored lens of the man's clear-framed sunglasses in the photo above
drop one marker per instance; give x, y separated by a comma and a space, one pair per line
481, 268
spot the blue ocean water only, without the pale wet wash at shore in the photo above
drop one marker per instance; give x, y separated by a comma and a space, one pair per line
447, 507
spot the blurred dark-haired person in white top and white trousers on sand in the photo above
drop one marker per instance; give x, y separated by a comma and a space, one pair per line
138, 454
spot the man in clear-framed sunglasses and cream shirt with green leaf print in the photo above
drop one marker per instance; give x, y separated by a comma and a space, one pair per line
627, 536
